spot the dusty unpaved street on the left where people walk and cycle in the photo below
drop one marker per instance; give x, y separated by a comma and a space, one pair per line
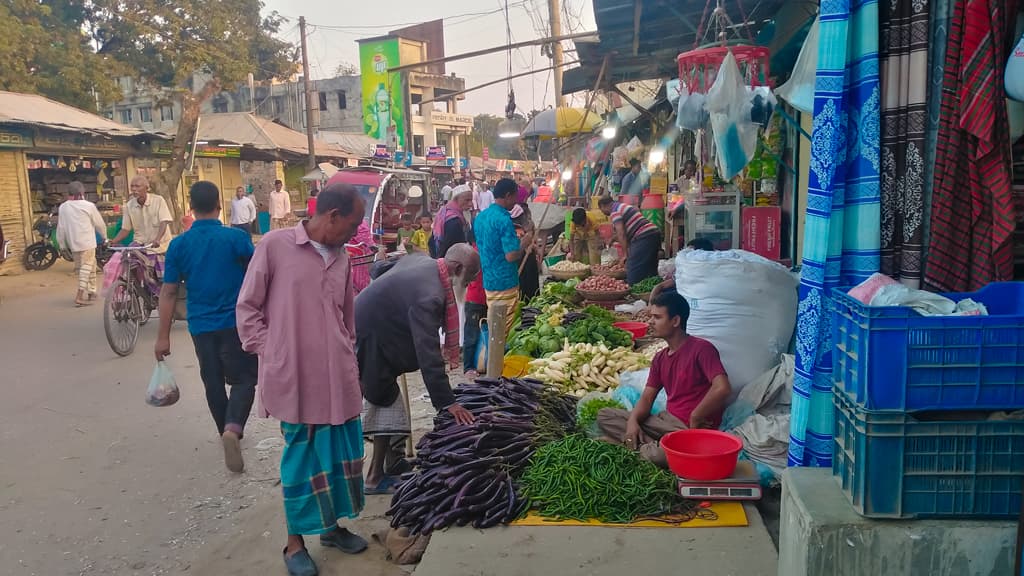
96, 482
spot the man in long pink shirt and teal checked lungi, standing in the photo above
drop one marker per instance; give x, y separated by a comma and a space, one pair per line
296, 312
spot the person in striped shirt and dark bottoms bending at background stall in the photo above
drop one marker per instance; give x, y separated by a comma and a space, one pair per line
639, 239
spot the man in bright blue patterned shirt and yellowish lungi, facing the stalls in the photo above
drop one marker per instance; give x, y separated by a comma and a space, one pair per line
501, 250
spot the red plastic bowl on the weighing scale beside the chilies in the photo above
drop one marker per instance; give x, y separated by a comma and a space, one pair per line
701, 455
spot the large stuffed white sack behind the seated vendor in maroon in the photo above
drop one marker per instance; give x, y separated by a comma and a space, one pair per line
743, 304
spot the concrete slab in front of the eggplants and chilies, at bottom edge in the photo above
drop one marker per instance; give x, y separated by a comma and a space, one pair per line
603, 552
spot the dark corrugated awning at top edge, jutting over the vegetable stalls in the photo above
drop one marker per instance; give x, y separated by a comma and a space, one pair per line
646, 49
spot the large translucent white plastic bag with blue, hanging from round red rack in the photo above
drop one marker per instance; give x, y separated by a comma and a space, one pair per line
736, 137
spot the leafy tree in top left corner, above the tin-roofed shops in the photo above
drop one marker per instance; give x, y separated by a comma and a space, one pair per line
45, 51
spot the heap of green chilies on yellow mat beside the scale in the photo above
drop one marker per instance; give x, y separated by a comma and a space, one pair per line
581, 479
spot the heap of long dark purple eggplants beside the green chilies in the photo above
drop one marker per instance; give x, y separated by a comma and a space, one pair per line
466, 475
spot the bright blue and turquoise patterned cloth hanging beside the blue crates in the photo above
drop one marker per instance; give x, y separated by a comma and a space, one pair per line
842, 230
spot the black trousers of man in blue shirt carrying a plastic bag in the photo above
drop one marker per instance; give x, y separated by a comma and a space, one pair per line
222, 361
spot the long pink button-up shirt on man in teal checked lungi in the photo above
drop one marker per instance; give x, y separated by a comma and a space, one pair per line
296, 312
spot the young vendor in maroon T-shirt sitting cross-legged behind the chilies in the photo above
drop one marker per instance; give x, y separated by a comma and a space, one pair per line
693, 377
